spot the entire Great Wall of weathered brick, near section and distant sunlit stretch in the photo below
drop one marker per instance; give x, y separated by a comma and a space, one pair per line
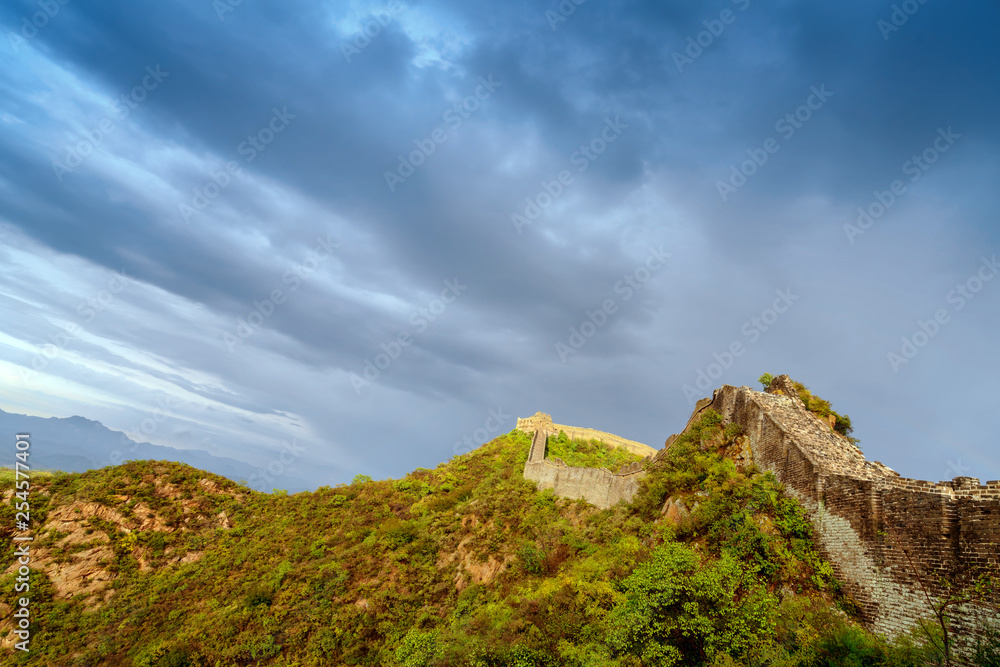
889, 538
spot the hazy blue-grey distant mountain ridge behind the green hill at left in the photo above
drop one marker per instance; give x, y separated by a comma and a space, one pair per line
78, 444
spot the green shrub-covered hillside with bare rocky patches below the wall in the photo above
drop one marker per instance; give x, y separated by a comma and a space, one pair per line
466, 564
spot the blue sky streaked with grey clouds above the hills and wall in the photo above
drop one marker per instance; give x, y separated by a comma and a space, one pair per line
375, 234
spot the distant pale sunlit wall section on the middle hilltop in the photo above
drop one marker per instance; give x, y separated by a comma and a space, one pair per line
598, 486
